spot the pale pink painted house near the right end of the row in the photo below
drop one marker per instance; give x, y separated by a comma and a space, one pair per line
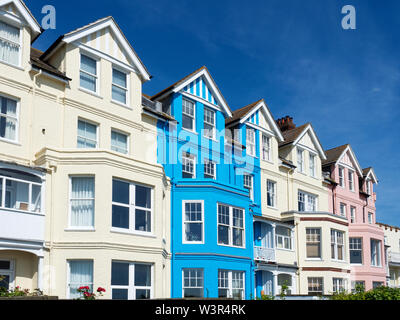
353, 196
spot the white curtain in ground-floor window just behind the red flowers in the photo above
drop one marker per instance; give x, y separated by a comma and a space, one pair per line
81, 274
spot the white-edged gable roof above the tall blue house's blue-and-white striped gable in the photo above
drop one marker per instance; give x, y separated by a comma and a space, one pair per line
181, 84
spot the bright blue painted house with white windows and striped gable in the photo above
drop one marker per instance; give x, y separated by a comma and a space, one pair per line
212, 194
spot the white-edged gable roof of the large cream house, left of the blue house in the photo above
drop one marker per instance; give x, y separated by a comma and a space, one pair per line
94, 27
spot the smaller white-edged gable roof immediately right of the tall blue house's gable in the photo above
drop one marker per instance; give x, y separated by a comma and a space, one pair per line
242, 115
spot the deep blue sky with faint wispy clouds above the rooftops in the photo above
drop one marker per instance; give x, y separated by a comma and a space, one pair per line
292, 53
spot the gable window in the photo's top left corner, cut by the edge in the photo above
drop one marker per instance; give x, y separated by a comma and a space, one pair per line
10, 44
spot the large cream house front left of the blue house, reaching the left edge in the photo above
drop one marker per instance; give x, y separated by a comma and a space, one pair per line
82, 198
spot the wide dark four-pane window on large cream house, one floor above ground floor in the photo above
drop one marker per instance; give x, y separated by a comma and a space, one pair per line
132, 206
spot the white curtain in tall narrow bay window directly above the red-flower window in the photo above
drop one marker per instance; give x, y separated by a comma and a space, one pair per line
82, 202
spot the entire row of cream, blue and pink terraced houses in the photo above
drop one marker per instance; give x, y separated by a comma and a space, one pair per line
170, 195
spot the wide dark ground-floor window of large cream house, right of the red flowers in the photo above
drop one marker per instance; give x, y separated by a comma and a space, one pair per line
131, 281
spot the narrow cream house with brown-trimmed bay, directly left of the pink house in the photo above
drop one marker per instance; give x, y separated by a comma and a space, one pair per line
321, 238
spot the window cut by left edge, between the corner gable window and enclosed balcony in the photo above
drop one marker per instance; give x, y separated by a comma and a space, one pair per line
8, 119
